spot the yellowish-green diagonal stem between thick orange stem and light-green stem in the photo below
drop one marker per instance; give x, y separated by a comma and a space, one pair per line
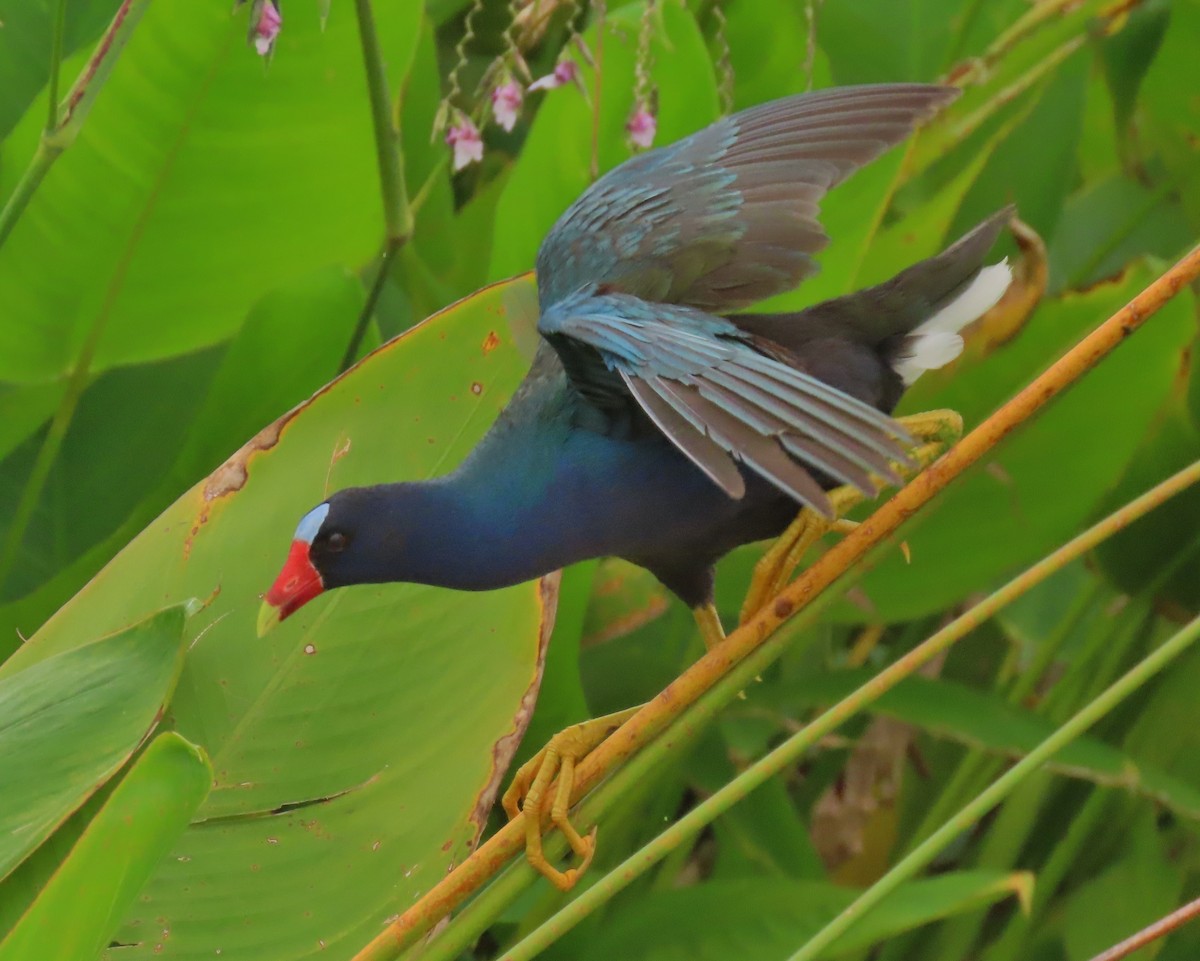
788, 754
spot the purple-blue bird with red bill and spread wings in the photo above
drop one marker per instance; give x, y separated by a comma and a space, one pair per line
661, 423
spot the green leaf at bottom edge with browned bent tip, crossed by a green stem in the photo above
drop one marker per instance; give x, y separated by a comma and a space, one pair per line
767, 920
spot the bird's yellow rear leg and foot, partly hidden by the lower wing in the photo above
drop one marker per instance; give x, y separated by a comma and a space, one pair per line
937, 429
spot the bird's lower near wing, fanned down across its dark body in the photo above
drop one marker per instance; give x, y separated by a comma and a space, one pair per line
718, 399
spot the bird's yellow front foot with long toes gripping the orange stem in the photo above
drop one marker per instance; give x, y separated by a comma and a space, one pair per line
531, 789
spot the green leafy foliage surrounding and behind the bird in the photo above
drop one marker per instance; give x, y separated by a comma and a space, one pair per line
194, 266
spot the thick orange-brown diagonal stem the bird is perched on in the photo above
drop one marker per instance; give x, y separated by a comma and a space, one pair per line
687, 689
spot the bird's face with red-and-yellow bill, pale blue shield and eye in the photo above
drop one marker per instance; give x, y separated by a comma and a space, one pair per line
323, 538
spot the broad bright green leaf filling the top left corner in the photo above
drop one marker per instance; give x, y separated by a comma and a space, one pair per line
200, 182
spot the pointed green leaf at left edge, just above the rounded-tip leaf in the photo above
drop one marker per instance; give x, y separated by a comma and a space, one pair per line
69, 722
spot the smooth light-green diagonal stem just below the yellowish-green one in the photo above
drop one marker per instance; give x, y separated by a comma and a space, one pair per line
1001, 789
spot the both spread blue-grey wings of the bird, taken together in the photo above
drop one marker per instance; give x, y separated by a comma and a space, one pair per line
632, 277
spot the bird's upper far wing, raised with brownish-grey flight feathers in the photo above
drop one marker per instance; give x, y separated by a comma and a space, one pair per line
728, 217
